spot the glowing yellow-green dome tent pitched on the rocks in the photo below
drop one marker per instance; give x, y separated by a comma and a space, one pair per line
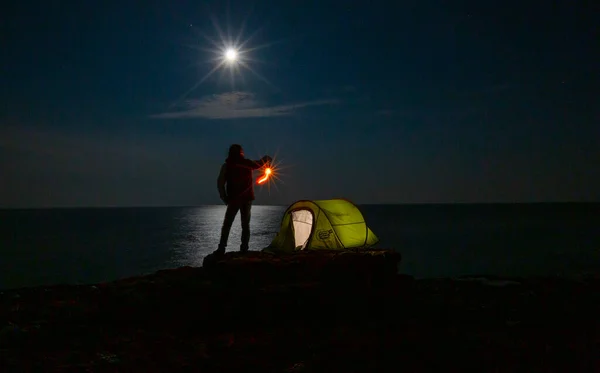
334, 224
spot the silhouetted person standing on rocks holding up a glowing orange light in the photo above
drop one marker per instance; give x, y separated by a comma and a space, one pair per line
236, 189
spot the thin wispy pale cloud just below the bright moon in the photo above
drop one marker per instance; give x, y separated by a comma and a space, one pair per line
234, 105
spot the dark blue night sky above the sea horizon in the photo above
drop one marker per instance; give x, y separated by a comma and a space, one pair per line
380, 102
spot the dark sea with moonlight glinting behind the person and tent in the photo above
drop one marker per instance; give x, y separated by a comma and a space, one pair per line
91, 245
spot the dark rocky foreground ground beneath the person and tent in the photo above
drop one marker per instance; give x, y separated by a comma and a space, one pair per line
306, 313
